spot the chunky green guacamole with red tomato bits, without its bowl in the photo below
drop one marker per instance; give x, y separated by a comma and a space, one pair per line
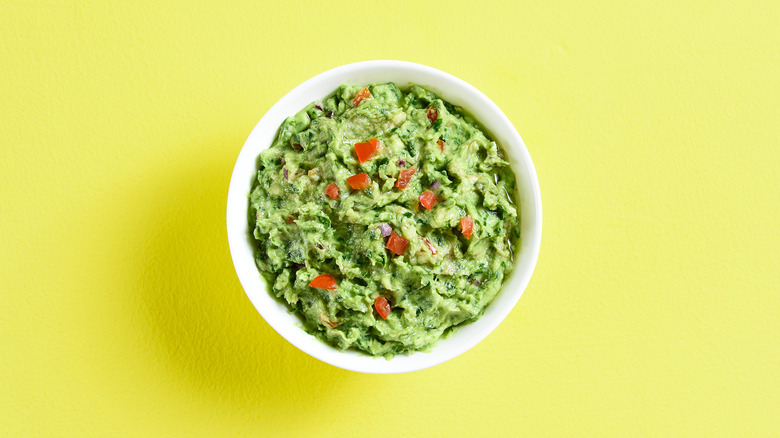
384, 217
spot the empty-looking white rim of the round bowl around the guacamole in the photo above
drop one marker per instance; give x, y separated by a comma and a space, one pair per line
449, 88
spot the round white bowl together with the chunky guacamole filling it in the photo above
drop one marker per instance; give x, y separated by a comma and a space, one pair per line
384, 216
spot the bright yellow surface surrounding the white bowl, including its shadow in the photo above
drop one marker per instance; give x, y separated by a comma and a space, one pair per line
653, 311
